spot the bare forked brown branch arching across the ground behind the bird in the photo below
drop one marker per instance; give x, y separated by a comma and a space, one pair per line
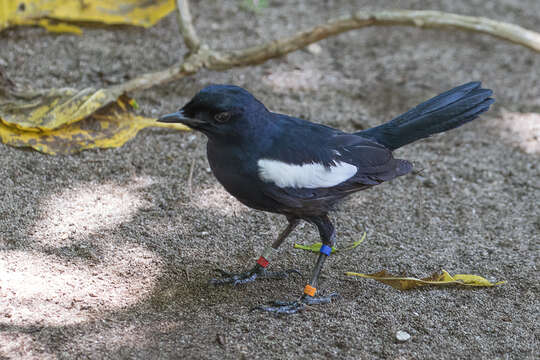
206, 58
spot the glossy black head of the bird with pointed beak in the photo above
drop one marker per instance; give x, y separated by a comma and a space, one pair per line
220, 111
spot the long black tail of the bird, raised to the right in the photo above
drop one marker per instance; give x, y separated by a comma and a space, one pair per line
441, 113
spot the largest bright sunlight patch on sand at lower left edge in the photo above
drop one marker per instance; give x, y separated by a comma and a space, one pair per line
43, 290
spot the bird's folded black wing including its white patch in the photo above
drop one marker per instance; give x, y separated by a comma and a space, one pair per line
340, 165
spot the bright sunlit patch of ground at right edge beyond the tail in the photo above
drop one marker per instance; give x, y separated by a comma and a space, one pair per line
521, 130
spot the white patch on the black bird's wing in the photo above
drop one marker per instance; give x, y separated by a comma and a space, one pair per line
307, 176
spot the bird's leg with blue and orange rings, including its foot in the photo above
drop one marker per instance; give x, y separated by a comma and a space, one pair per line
328, 237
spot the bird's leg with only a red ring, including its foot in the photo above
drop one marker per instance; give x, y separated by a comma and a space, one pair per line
259, 270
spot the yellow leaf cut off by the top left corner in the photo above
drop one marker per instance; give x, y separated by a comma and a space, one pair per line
41, 12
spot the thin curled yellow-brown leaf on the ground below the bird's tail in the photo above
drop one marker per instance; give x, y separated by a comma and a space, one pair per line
442, 278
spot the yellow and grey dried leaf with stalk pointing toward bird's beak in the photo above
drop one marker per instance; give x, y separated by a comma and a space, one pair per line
60, 125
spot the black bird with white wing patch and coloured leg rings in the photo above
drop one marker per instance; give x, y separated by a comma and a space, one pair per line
281, 164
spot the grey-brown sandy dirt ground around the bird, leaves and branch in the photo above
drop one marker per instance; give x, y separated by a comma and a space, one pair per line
108, 253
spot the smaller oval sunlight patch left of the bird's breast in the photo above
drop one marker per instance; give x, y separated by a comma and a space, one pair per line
86, 209
